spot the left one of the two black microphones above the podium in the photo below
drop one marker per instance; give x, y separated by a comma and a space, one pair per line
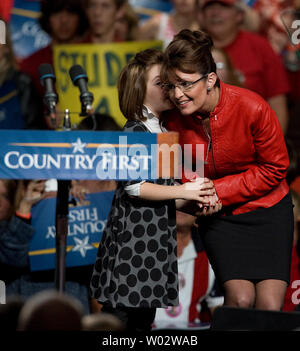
47, 79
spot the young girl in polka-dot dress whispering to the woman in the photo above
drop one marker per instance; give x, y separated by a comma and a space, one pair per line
136, 268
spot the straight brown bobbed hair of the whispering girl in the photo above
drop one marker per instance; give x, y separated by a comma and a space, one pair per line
133, 80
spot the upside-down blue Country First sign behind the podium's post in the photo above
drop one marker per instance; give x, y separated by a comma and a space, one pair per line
85, 228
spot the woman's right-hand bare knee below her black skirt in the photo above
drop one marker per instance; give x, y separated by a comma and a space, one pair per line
270, 294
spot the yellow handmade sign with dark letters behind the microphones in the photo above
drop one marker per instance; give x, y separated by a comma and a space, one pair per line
103, 64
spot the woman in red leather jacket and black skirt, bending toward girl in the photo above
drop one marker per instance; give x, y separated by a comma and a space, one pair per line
249, 242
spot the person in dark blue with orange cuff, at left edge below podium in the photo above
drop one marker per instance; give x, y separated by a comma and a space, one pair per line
16, 200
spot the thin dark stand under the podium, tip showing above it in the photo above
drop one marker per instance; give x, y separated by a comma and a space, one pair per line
62, 210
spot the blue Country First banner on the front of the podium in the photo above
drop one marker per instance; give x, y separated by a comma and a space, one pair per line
31, 154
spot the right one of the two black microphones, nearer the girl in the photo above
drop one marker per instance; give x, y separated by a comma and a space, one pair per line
80, 79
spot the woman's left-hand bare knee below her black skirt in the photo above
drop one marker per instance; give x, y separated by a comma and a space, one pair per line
239, 293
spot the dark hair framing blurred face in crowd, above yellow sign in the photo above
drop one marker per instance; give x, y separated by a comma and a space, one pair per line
50, 7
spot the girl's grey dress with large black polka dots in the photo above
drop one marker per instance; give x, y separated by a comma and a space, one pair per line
136, 264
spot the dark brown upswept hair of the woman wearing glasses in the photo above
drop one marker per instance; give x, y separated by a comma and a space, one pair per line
189, 52
